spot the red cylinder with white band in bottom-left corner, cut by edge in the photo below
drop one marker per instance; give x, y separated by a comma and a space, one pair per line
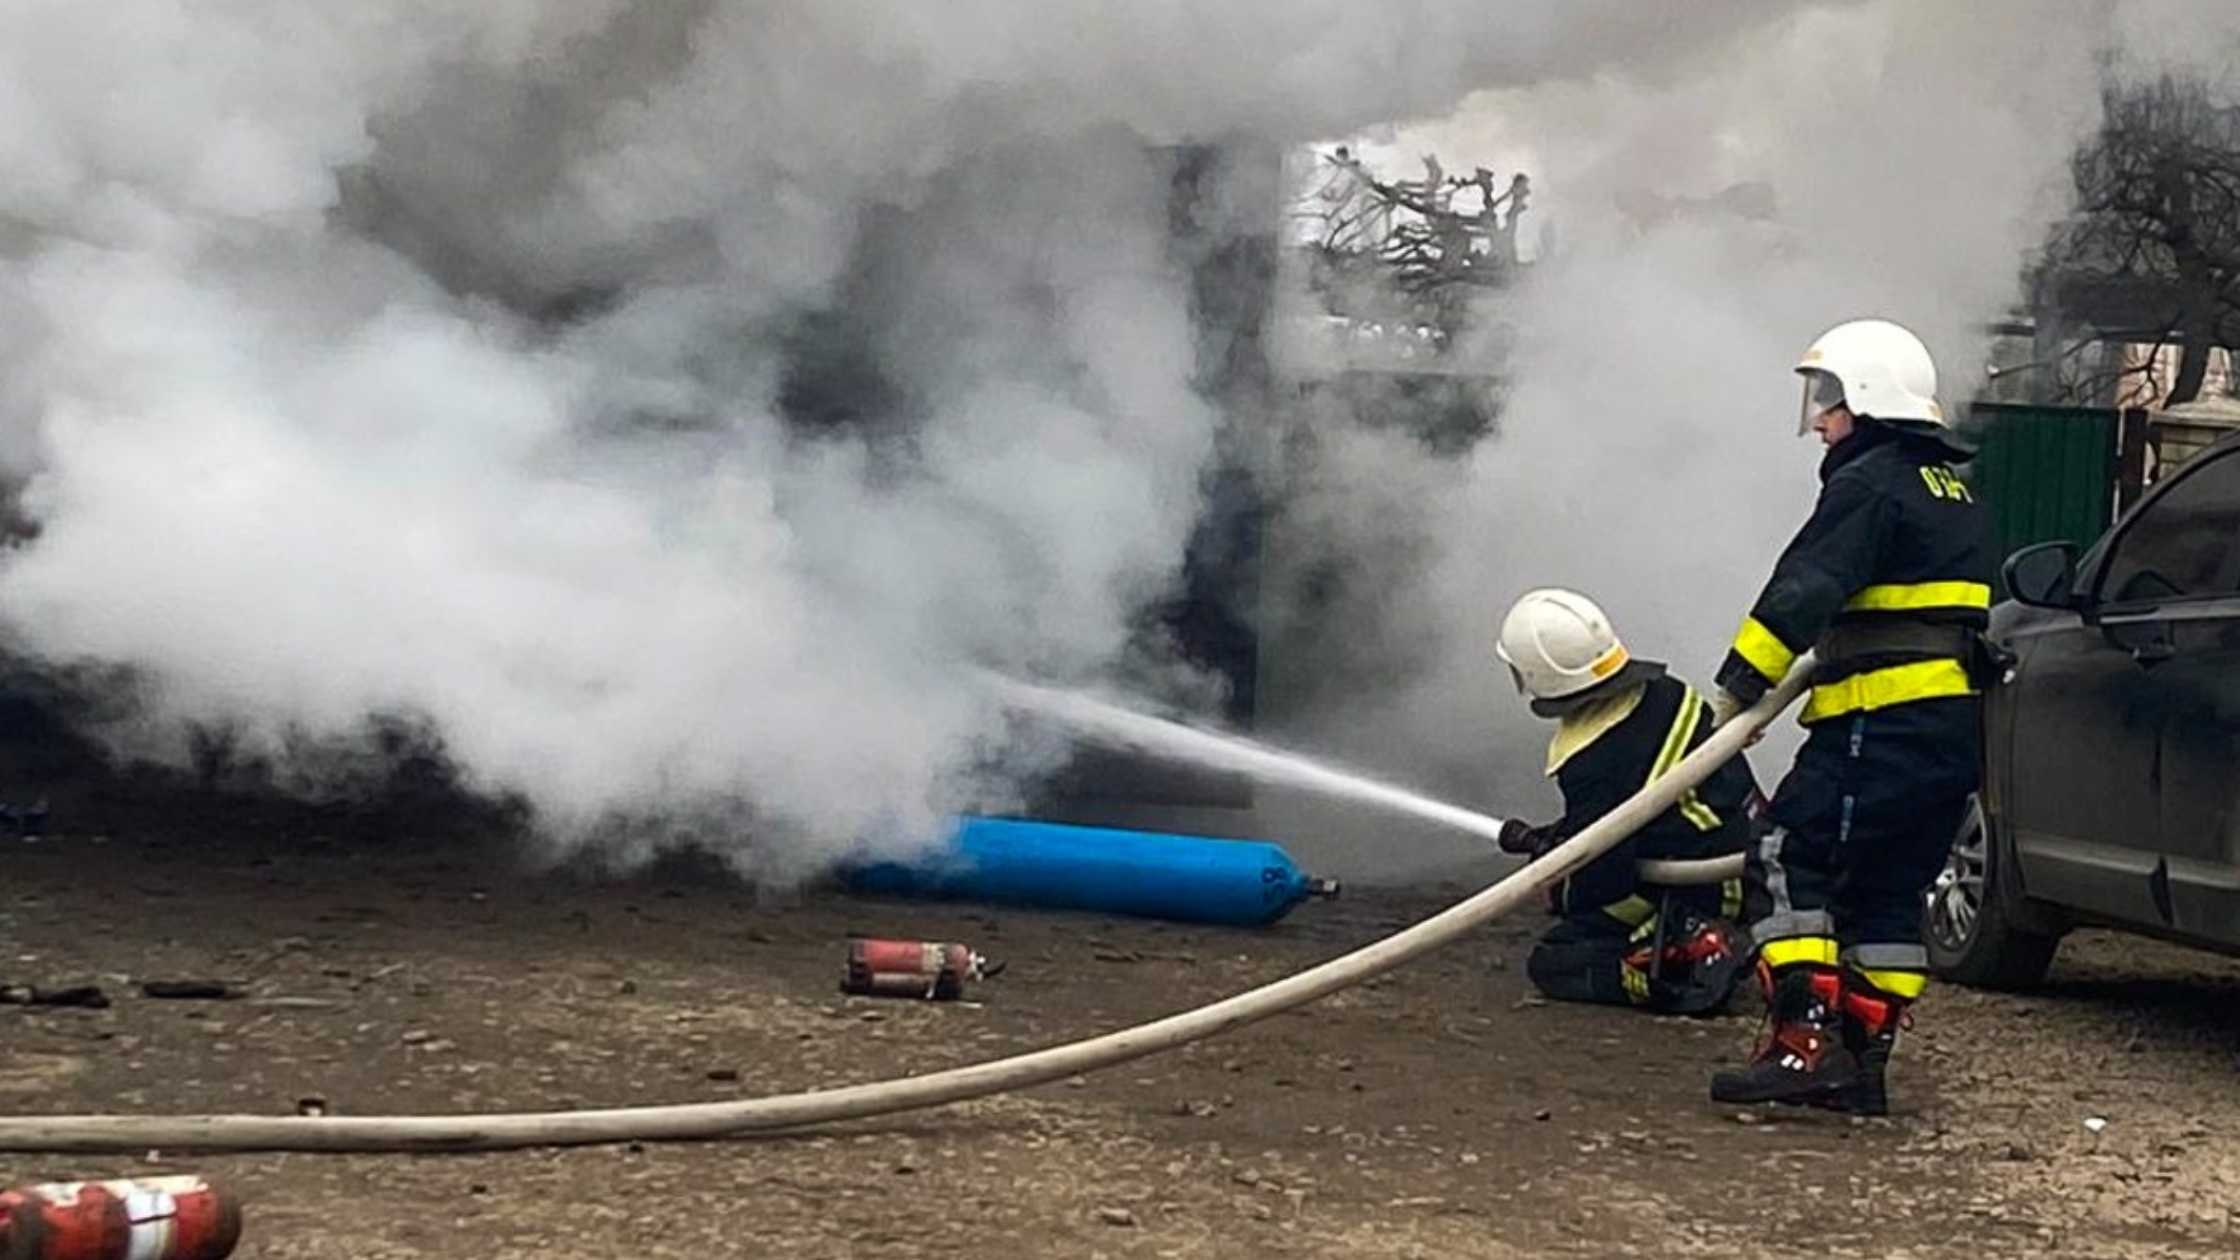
153, 1219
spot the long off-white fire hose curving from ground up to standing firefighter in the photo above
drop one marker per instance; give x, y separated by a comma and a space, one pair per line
684, 1122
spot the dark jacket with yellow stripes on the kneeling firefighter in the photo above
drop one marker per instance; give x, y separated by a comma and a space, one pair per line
1616, 761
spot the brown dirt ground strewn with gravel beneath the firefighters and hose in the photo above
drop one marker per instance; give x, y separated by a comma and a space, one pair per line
1439, 1113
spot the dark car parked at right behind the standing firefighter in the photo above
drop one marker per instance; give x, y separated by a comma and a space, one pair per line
2113, 750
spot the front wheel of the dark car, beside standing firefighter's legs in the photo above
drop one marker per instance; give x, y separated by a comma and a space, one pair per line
1970, 920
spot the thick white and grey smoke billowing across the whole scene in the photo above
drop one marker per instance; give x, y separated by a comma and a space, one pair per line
673, 405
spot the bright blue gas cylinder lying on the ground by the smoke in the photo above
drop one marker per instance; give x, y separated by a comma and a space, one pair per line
1058, 867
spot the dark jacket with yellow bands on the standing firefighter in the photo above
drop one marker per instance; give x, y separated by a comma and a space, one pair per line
1889, 580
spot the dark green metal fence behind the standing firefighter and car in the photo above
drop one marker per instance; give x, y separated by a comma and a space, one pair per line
2046, 472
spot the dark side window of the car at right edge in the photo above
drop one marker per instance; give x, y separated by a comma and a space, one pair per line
2185, 544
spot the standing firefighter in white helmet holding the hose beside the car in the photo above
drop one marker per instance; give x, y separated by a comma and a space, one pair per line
1892, 584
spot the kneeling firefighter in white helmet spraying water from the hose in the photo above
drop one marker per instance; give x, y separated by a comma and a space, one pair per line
1621, 725
